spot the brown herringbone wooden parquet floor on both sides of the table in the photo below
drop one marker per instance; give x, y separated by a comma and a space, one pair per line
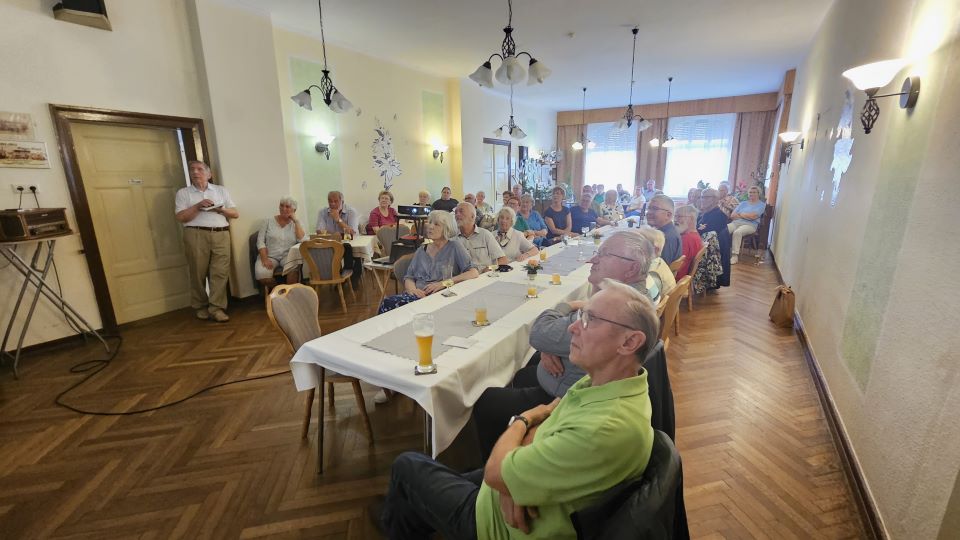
229, 463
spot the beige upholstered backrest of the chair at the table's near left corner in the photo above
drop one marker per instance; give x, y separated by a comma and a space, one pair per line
293, 310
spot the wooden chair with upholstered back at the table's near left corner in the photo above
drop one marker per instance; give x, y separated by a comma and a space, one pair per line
293, 310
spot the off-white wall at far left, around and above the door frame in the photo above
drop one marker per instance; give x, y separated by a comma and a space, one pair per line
145, 64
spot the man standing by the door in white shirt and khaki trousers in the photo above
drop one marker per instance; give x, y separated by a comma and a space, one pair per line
204, 209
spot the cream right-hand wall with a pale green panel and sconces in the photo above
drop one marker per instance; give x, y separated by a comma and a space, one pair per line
874, 274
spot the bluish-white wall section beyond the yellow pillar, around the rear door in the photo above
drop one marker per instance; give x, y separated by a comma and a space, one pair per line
482, 112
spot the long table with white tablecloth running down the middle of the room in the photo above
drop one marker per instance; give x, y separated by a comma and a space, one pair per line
463, 374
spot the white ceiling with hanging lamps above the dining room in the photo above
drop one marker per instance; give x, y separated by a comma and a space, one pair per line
712, 48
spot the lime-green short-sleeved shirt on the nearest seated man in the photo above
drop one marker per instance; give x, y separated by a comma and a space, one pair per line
577, 454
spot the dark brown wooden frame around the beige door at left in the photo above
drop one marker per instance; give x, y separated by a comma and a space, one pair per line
195, 147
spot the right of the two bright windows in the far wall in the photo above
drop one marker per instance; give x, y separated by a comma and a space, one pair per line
703, 152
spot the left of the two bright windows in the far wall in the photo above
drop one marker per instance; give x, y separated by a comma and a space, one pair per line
614, 158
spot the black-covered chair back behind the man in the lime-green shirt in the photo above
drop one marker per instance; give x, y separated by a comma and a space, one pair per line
643, 508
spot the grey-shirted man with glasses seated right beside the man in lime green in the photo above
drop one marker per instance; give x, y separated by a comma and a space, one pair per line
625, 256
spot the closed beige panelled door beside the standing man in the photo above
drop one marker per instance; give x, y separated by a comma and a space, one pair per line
130, 177
